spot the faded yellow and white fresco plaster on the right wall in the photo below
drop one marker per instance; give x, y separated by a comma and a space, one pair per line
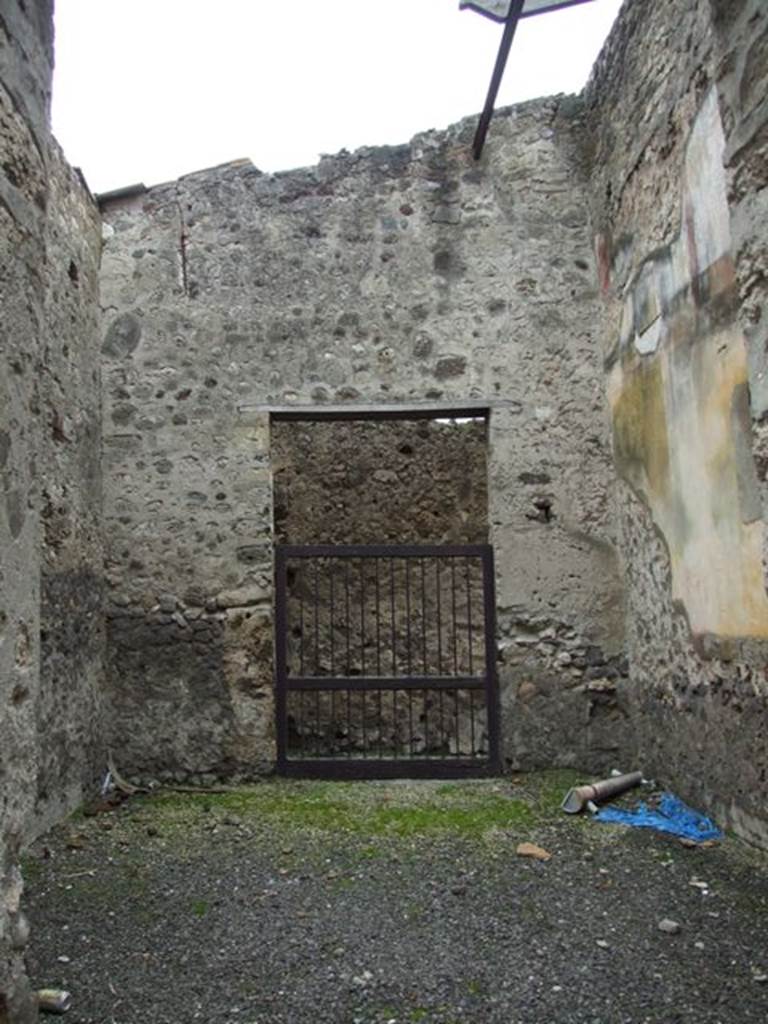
679, 399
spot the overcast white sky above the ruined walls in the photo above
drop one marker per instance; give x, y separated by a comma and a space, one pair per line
148, 91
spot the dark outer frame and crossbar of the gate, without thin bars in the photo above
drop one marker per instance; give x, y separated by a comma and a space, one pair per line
350, 766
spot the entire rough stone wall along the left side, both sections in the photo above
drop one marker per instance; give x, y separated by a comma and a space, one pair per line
51, 653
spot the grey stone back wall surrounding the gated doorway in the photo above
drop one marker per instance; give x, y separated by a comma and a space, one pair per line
400, 275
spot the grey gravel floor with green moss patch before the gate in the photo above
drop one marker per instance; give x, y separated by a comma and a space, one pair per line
366, 904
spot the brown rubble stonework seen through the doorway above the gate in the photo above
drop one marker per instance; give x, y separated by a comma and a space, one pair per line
401, 482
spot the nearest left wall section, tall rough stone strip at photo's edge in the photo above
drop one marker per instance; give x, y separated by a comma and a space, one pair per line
26, 56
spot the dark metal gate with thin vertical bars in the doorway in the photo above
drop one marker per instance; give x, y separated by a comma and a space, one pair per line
386, 662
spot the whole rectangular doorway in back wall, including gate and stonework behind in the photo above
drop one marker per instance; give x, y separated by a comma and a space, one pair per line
385, 590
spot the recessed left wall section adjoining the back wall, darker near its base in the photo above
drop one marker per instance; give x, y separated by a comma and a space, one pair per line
72, 755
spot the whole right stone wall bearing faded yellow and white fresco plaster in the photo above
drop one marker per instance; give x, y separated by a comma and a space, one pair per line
680, 387
